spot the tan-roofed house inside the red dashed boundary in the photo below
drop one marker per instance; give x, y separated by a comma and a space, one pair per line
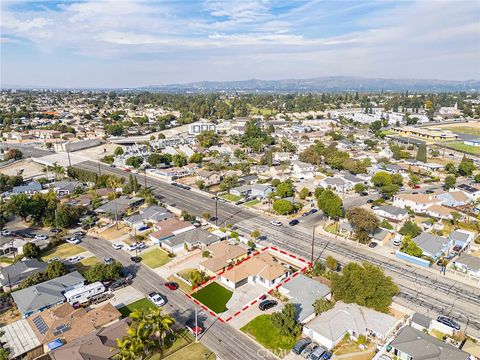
262, 269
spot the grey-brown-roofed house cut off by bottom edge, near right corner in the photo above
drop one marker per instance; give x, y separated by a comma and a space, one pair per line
411, 343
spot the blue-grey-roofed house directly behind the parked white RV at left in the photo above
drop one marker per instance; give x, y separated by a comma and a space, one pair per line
42, 296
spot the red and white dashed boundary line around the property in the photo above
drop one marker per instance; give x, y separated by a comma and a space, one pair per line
308, 264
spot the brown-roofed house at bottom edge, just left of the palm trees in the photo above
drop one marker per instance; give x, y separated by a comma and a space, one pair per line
98, 345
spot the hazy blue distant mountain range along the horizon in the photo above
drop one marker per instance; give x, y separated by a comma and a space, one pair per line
321, 84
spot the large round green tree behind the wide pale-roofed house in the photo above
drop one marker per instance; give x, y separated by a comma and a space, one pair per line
365, 285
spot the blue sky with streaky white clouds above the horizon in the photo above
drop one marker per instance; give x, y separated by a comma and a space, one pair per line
127, 43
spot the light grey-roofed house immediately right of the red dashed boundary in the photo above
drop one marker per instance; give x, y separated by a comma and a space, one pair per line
302, 292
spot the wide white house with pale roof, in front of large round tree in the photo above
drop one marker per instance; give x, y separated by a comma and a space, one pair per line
329, 328
